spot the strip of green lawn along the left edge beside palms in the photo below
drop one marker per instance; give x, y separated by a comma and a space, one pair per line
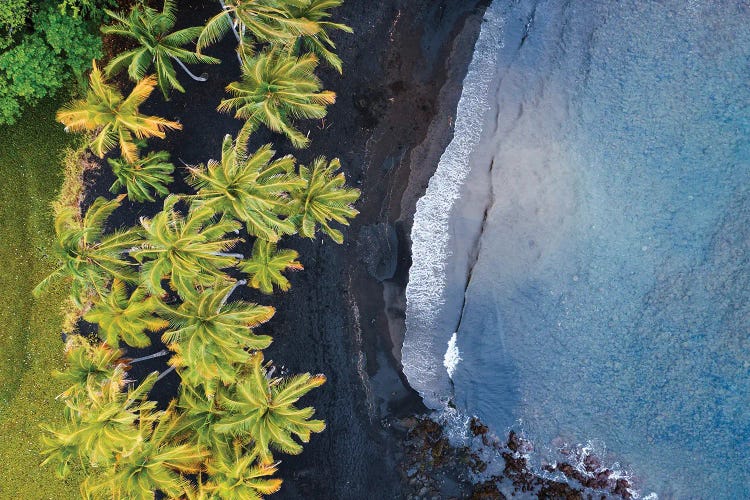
31, 154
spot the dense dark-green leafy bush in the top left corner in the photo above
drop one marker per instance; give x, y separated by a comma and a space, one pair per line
36, 62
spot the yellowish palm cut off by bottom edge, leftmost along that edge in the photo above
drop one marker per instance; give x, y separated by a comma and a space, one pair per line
159, 462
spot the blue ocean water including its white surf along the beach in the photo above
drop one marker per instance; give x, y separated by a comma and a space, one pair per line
584, 246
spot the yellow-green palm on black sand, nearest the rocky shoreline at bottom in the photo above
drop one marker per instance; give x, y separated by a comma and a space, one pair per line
263, 408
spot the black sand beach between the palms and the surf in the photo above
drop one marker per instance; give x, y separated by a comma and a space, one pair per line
403, 70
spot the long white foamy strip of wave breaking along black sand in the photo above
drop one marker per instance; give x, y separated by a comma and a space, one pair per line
425, 292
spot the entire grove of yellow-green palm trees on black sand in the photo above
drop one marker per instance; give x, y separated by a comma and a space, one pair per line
171, 278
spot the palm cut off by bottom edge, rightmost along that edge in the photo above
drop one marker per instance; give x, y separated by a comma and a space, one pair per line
234, 474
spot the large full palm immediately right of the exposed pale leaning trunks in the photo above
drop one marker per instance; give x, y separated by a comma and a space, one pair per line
211, 337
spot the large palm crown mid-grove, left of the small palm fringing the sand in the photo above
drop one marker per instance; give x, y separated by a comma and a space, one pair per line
189, 250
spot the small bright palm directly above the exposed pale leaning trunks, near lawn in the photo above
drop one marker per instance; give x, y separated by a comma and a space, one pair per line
126, 318
